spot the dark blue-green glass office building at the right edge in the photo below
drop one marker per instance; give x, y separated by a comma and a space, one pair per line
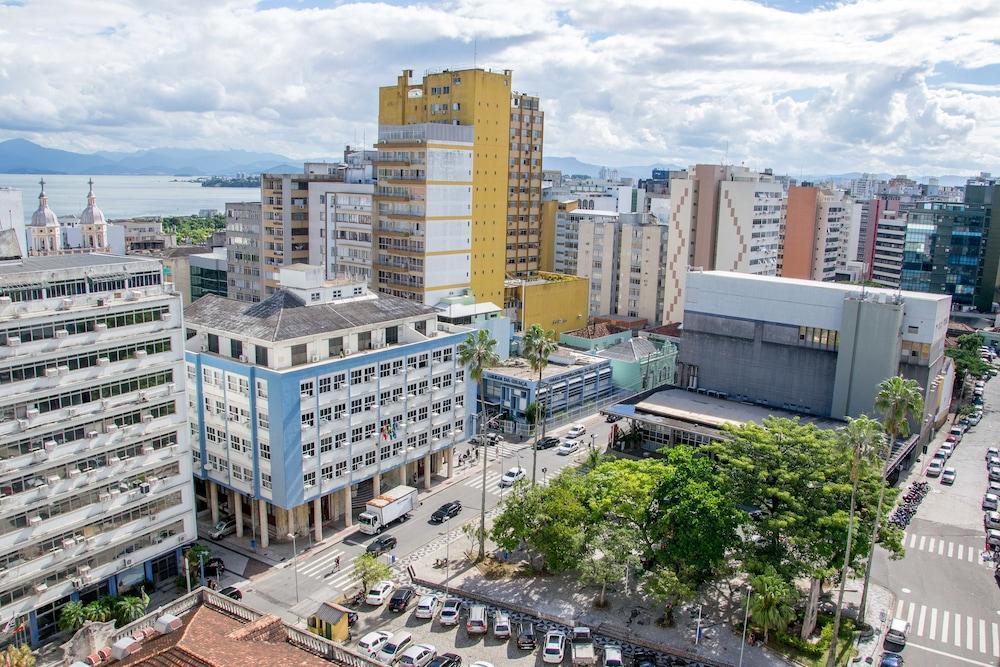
950, 250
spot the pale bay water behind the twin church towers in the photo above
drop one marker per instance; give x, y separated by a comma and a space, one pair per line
125, 196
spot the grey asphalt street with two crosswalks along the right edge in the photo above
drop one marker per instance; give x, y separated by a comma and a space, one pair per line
944, 587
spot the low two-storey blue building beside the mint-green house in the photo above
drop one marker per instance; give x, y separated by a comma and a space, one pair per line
570, 382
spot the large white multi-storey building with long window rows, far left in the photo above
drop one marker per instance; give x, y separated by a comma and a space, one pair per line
95, 478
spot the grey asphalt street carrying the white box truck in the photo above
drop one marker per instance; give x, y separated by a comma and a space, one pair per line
317, 574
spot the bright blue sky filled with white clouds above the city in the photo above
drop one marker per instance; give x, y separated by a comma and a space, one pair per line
899, 86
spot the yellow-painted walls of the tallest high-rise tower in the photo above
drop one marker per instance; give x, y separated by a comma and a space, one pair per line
481, 99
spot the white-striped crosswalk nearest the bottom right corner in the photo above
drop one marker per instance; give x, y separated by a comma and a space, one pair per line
950, 628
